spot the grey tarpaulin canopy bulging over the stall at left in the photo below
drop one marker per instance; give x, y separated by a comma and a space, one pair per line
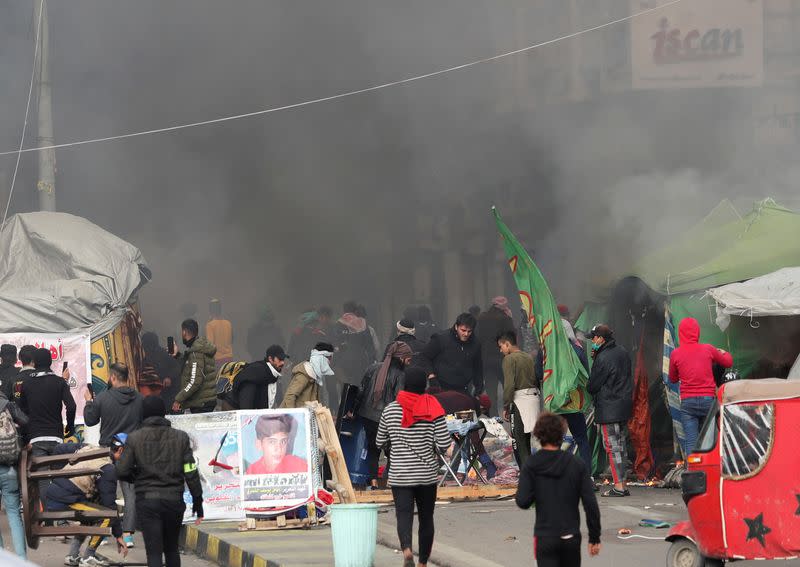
61, 273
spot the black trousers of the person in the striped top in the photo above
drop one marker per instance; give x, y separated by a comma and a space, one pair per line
404, 499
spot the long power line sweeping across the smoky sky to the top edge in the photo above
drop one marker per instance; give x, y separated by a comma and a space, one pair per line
345, 94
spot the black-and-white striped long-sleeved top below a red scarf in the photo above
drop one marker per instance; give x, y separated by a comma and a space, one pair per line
413, 458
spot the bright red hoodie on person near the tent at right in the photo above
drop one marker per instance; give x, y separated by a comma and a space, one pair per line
691, 363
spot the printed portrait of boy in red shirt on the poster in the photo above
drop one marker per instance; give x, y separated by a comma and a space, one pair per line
274, 435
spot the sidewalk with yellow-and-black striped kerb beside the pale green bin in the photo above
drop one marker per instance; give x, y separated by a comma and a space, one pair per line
224, 544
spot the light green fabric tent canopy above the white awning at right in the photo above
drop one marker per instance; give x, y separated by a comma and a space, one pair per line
725, 248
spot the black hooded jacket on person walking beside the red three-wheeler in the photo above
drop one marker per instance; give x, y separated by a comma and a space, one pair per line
554, 481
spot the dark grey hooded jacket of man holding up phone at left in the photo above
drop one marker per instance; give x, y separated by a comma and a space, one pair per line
118, 410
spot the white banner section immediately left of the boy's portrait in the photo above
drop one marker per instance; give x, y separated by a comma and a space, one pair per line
215, 443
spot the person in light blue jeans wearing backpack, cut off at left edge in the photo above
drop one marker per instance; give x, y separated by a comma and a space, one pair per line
11, 420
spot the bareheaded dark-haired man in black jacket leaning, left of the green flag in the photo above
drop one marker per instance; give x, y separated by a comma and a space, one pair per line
453, 357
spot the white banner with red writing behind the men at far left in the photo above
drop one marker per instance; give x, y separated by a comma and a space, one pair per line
71, 348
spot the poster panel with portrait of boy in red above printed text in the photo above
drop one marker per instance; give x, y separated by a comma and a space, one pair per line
275, 458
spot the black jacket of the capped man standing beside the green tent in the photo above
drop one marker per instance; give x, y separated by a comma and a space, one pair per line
611, 384
